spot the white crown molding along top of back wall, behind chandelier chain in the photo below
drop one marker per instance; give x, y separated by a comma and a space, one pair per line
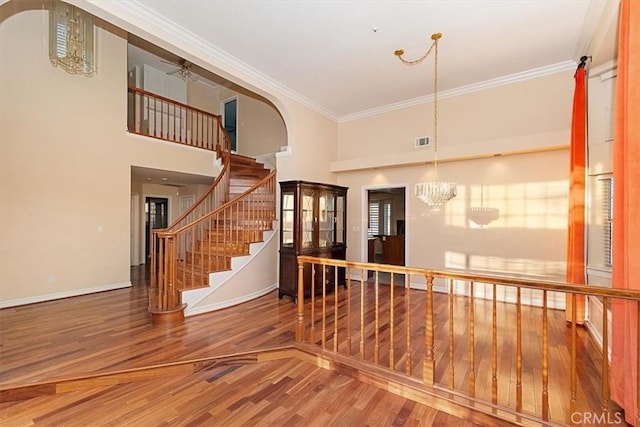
463, 90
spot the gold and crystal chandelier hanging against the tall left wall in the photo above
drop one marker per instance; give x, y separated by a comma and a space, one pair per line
71, 45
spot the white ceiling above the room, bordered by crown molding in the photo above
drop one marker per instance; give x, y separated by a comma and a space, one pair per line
338, 55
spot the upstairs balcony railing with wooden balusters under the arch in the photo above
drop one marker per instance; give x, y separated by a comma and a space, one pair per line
158, 117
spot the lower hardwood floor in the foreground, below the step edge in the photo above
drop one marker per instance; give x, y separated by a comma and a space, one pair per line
284, 392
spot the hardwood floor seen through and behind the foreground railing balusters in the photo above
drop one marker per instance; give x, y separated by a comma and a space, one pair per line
459, 367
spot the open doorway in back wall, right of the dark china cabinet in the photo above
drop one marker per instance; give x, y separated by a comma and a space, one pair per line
386, 225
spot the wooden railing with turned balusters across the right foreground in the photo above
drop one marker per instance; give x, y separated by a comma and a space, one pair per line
465, 343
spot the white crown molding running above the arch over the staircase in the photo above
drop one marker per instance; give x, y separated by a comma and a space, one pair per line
135, 17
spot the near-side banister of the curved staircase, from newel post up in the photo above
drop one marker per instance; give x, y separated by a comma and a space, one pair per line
186, 255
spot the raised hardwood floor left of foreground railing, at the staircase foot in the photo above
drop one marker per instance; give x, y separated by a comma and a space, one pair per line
112, 330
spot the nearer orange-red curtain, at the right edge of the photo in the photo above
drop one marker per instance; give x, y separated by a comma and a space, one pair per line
626, 212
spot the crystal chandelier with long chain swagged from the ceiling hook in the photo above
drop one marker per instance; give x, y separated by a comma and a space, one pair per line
434, 193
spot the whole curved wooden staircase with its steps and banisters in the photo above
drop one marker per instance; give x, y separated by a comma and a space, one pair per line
234, 213
